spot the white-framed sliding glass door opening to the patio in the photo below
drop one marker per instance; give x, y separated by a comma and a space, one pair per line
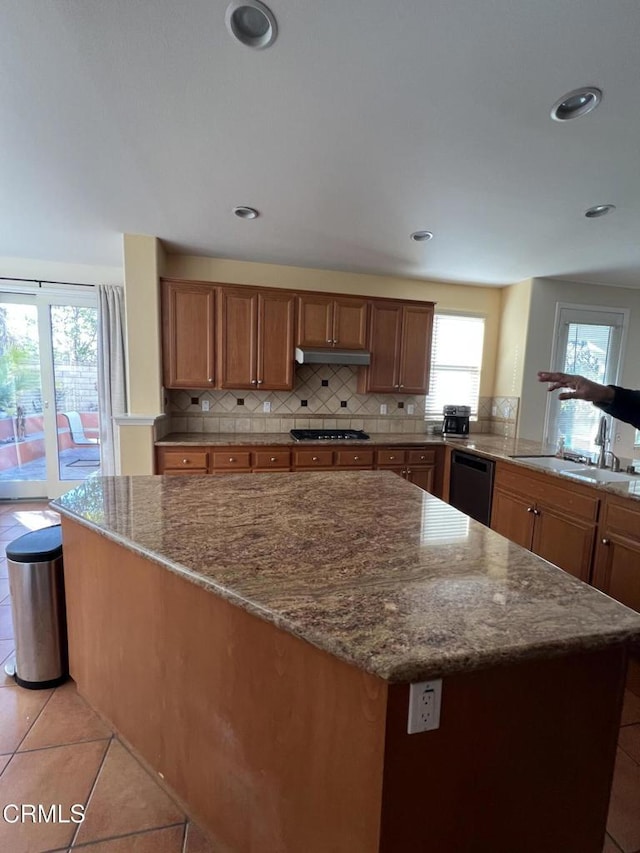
49, 429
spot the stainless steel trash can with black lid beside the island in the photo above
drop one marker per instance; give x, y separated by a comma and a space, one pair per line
36, 584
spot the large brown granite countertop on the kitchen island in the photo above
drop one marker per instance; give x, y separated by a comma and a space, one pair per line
361, 564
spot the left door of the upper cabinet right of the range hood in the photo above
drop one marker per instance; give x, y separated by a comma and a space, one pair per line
384, 343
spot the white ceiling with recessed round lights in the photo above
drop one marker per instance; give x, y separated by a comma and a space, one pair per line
365, 121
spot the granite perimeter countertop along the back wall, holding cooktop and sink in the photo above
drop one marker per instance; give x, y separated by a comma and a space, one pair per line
493, 447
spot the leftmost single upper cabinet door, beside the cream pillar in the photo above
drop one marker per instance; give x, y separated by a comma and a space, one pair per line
188, 335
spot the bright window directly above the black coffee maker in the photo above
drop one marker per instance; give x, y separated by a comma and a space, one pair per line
456, 359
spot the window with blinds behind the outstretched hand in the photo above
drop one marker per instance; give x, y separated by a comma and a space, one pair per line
588, 342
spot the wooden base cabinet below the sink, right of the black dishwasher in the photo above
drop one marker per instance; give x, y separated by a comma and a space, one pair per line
554, 520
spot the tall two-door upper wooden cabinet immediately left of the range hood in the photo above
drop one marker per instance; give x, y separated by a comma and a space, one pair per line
255, 339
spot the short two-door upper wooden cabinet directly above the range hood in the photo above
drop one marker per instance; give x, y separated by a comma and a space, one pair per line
326, 321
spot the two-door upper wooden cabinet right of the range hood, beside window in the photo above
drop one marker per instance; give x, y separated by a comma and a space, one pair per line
400, 345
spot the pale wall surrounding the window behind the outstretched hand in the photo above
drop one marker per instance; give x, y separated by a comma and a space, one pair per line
546, 293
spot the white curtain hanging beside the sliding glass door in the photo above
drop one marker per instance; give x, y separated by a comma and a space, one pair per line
112, 394
